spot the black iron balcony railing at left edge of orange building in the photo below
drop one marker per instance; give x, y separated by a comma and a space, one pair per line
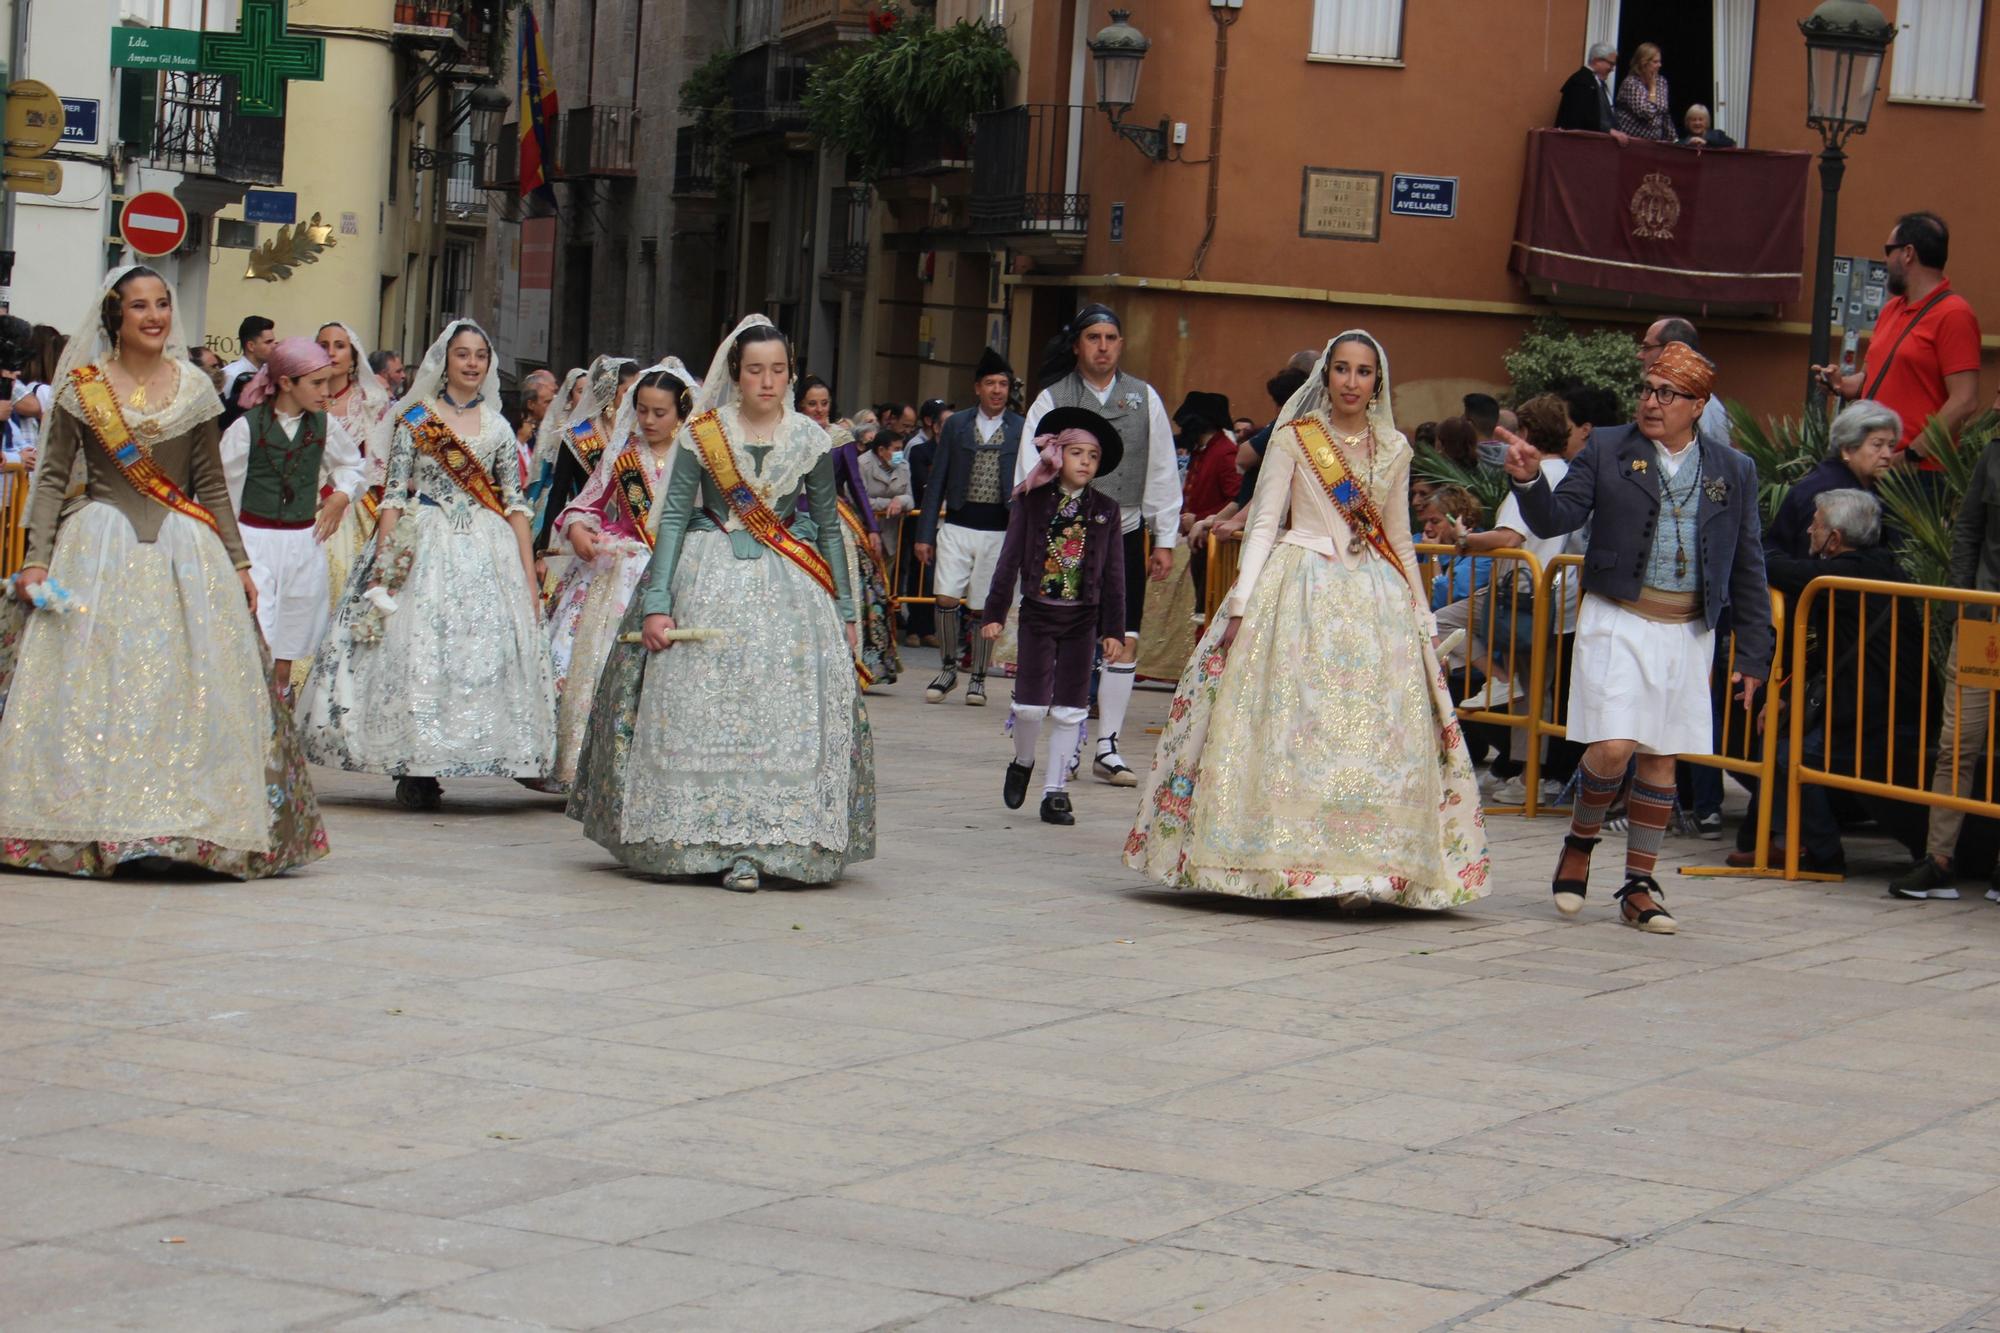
1021, 171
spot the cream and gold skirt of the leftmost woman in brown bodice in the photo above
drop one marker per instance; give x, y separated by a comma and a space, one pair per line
145, 724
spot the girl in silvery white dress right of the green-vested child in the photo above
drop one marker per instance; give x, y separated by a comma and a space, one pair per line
437, 665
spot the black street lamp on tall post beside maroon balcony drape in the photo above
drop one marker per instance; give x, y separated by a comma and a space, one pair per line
1845, 47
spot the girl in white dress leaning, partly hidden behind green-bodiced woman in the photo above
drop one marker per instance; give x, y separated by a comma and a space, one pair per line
611, 535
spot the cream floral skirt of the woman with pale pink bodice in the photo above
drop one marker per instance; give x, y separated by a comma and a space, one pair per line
1319, 758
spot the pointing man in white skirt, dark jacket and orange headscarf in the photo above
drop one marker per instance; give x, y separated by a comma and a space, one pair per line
1675, 539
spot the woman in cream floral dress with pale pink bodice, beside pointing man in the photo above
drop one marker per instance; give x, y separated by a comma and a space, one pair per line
1311, 750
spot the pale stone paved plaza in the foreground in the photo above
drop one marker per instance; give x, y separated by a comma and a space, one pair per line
465, 1076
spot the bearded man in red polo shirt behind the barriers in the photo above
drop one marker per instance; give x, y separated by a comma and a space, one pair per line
1925, 351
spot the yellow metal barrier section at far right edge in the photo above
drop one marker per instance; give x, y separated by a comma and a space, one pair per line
1831, 639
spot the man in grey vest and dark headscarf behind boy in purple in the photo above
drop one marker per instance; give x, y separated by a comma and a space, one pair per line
1083, 371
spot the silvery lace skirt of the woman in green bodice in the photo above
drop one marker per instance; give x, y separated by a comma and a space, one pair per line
749, 748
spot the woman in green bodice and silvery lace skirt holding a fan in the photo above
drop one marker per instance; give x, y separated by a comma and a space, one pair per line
745, 750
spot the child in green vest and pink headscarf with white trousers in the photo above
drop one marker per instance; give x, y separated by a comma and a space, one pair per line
281, 457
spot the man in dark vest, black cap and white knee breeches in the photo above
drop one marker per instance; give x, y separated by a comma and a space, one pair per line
965, 509
